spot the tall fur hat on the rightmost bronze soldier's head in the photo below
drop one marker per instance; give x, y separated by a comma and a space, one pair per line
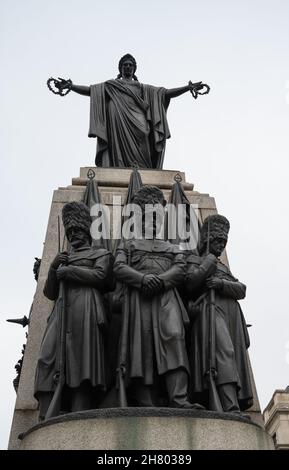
217, 226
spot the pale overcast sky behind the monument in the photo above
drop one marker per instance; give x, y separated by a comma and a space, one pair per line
232, 143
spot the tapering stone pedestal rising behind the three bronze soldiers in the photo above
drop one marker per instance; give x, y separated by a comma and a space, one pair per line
112, 182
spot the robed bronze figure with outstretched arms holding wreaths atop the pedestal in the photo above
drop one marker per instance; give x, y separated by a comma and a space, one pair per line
128, 117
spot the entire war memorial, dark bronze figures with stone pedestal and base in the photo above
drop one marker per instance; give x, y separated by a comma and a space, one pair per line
145, 343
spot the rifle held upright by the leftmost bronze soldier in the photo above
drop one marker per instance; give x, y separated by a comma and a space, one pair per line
59, 377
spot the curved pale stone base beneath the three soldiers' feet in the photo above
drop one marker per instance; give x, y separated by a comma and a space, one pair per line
147, 429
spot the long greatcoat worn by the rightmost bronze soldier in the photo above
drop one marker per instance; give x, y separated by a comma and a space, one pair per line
231, 335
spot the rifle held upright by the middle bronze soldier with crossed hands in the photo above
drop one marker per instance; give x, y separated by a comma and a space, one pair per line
122, 368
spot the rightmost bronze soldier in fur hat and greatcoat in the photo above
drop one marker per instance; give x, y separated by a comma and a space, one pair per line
219, 339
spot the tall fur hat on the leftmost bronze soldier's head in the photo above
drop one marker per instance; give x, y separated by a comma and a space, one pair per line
76, 215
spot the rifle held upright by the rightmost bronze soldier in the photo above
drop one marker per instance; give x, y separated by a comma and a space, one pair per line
211, 373
